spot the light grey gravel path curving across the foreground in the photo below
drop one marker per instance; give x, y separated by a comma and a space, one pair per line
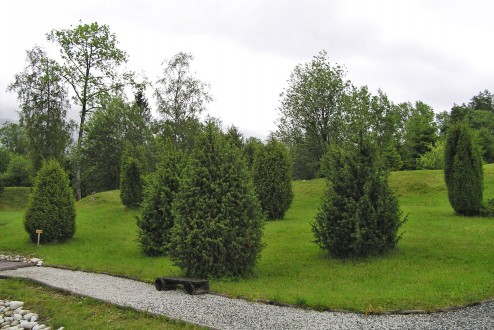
225, 313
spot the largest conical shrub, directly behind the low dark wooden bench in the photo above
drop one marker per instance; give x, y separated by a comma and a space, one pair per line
218, 219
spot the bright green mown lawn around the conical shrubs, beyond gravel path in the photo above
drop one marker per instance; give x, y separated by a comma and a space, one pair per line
442, 259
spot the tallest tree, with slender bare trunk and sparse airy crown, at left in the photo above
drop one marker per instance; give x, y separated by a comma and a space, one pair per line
90, 62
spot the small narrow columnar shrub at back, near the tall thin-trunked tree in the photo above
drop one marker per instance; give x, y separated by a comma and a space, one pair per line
131, 182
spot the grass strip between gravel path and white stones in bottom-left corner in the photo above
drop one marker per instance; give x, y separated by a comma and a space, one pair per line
58, 309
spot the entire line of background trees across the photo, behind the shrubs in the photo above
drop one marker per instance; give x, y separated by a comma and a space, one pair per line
319, 108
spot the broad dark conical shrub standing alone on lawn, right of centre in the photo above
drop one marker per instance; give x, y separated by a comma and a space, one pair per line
359, 215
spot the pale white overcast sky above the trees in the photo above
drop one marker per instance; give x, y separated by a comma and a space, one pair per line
439, 52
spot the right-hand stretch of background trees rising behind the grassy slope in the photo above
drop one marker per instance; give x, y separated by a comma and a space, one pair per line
320, 109
